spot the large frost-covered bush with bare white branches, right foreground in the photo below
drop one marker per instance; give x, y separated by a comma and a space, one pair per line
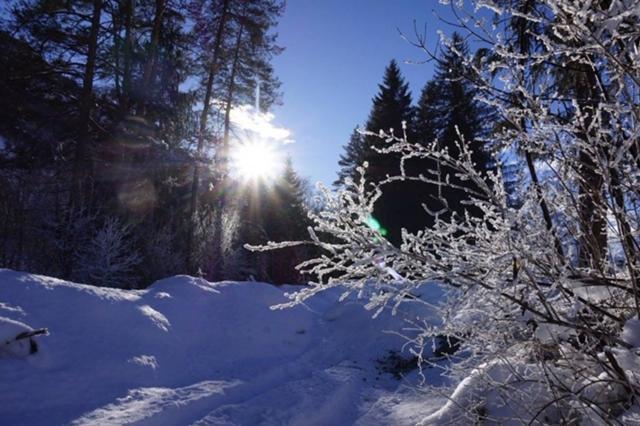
546, 335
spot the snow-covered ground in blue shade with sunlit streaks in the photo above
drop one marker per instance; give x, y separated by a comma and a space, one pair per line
186, 351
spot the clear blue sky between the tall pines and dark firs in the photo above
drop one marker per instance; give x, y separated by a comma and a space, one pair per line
335, 55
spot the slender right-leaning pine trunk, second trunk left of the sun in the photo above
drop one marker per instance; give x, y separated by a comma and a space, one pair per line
201, 135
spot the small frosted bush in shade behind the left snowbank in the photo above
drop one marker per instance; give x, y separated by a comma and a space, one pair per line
109, 258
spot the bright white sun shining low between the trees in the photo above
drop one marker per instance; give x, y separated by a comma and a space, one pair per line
255, 160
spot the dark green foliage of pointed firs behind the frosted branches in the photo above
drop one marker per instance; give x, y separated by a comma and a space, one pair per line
448, 112
